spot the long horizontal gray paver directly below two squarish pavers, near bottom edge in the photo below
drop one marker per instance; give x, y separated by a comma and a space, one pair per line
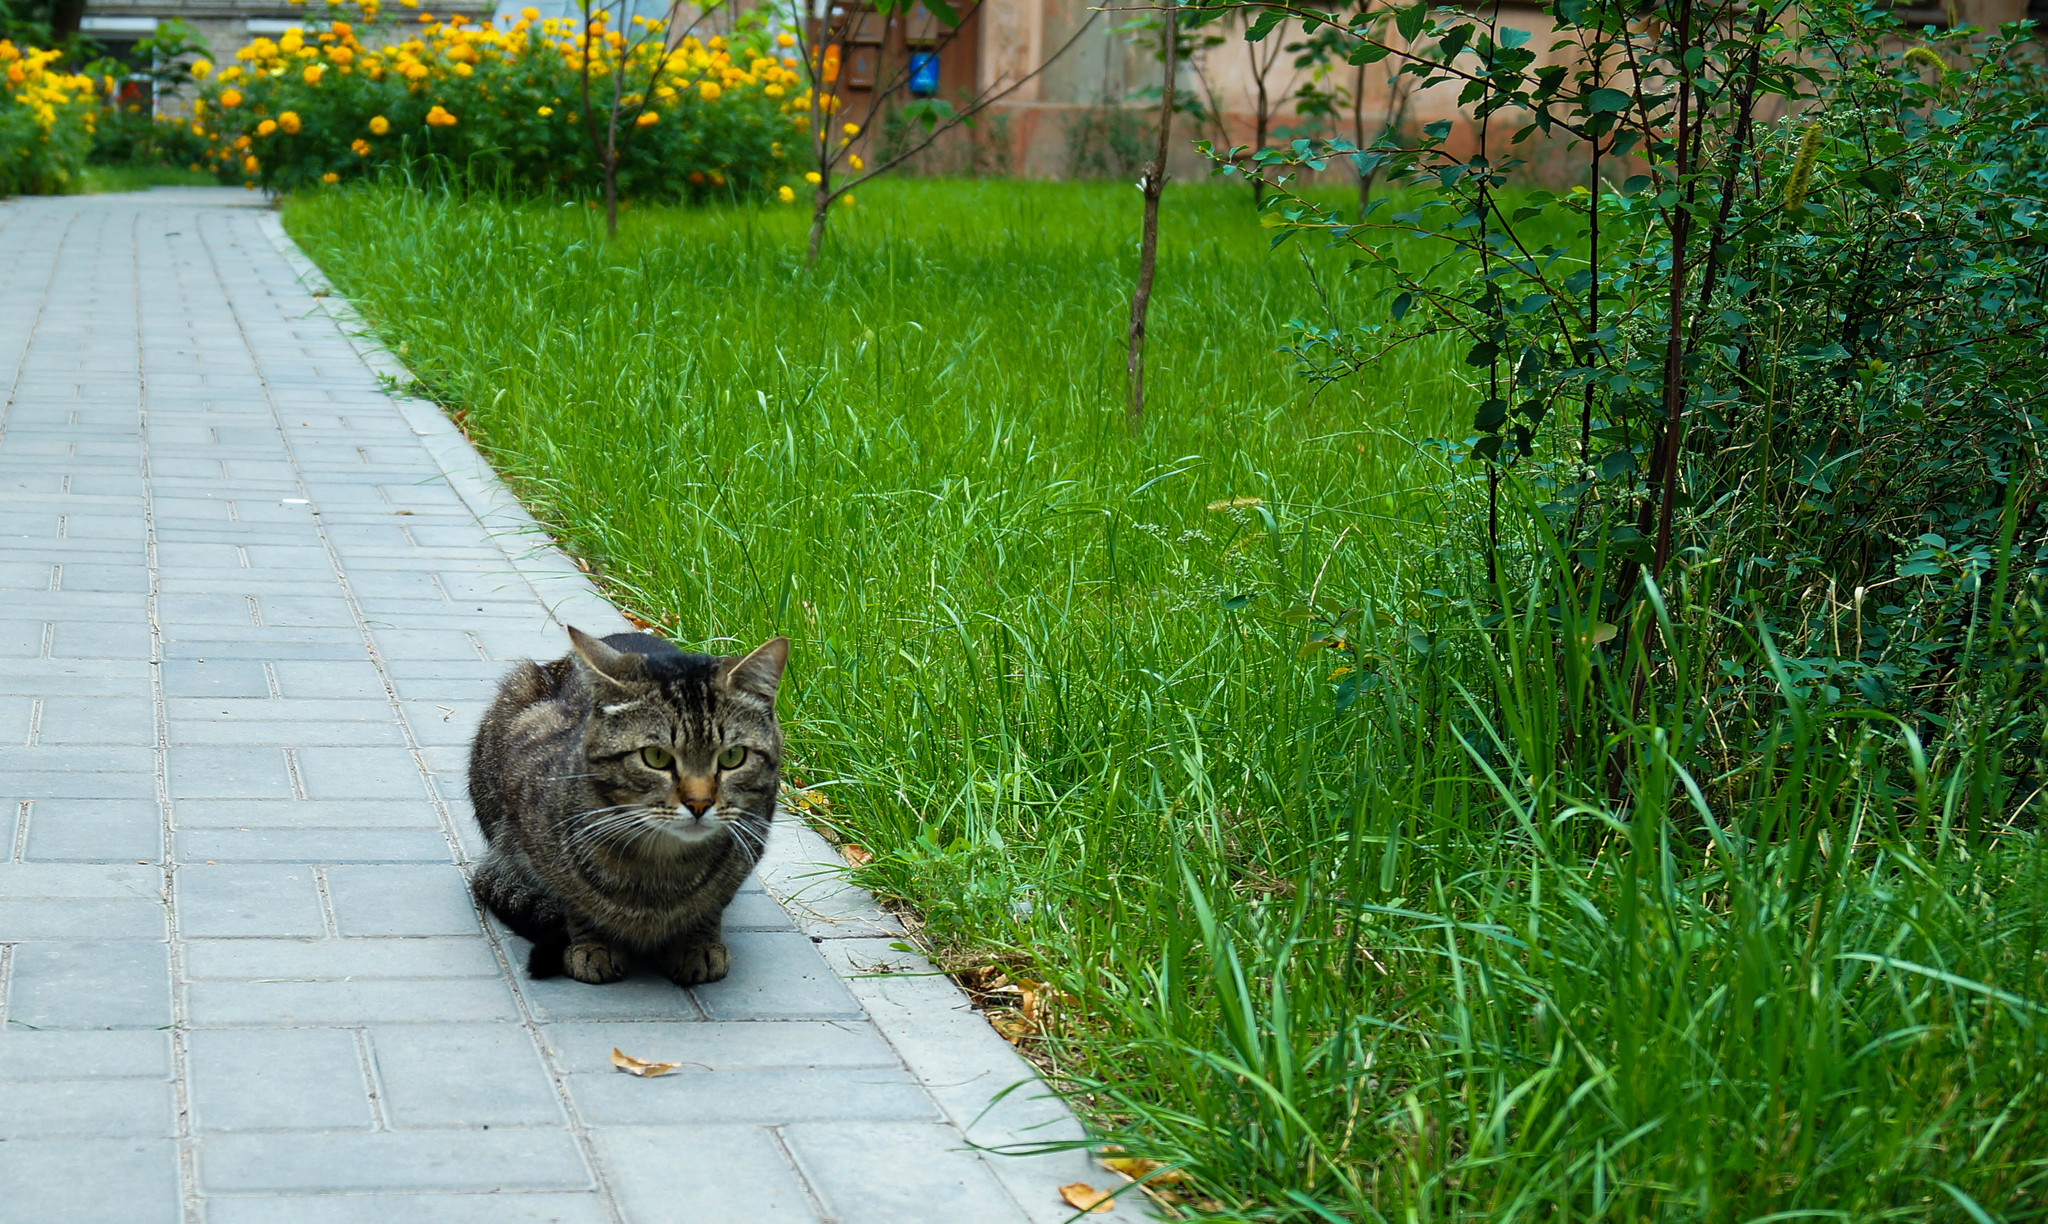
392, 1162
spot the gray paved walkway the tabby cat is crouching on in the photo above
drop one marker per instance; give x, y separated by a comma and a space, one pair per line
251, 611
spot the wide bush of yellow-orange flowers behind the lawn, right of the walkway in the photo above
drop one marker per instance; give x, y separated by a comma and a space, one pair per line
499, 107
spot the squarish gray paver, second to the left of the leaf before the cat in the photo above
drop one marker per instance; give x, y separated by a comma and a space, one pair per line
278, 1080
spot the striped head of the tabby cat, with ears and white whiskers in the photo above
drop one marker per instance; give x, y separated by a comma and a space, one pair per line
681, 748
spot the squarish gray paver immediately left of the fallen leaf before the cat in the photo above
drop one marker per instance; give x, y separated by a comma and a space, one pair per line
464, 1076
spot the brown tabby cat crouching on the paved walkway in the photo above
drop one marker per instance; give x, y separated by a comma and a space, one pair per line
626, 793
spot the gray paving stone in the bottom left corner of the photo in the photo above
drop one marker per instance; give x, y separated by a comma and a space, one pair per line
91, 1180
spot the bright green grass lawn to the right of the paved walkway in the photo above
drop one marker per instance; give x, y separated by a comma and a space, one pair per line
1400, 959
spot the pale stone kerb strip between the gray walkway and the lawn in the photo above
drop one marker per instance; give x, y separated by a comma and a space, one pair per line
984, 1088
